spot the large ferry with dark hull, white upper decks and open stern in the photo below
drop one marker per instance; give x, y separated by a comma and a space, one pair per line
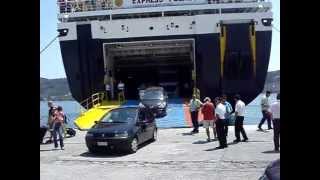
217, 46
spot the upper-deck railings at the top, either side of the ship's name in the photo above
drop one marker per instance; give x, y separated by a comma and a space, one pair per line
70, 6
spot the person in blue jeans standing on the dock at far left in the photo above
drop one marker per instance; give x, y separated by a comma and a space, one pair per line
58, 123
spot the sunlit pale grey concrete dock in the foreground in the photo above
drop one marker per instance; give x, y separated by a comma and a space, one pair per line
175, 155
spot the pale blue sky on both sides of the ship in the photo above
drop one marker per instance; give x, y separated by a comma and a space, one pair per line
51, 65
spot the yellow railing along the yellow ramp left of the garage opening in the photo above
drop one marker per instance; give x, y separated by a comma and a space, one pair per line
94, 100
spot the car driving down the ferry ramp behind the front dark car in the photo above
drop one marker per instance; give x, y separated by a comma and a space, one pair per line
156, 99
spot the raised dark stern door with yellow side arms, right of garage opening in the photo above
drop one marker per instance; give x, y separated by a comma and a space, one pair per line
238, 52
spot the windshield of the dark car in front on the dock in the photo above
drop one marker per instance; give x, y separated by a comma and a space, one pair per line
120, 116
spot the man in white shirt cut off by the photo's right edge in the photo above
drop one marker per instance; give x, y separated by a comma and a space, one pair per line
275, 110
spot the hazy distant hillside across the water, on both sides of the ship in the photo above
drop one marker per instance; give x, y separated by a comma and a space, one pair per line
58, 89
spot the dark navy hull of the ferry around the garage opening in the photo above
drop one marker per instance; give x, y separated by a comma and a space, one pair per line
84, 64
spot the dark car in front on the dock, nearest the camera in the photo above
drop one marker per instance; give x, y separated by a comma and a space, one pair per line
123, 129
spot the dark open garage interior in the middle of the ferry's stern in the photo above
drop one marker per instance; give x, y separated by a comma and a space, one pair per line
165, 63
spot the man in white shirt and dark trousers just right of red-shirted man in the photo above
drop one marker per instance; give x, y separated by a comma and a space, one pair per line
220, 123
